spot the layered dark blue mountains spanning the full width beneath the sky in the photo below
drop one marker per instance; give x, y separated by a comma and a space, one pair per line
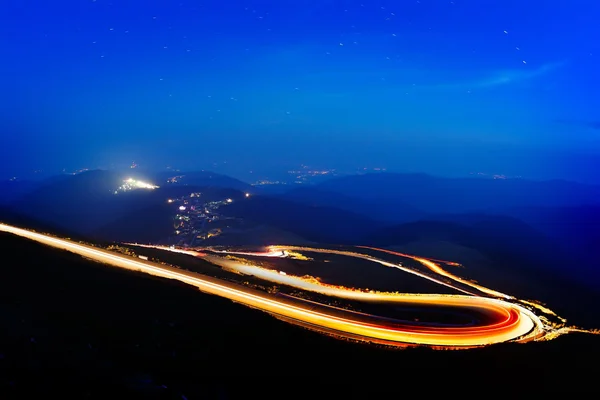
538, 226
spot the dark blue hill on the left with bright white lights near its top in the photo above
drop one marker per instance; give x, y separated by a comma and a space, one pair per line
86, 202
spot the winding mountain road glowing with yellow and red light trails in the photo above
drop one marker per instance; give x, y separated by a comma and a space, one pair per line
505, 320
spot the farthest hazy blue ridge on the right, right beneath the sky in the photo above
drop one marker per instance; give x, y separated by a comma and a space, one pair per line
451, 195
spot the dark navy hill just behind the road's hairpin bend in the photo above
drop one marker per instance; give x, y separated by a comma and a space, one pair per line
507, 247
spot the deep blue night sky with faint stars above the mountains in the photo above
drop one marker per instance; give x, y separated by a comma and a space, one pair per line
437, 86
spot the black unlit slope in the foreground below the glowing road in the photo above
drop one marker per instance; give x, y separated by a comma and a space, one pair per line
68, 324
